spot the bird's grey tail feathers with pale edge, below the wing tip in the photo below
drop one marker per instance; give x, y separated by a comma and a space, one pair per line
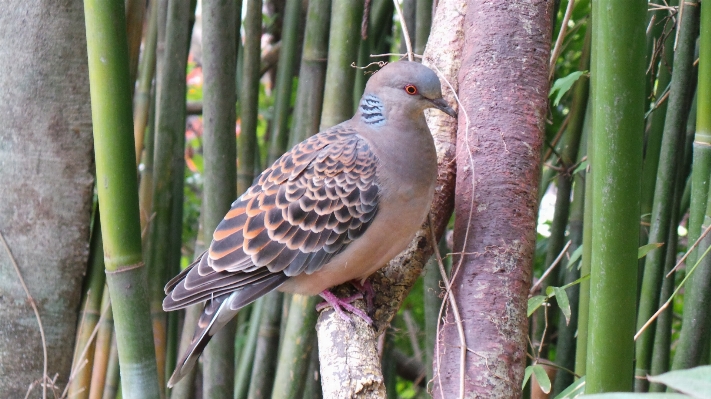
217, 312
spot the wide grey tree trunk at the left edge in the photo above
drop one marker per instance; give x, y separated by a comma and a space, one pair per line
45, 186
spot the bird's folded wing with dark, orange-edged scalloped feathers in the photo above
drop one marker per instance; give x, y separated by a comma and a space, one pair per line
303, 210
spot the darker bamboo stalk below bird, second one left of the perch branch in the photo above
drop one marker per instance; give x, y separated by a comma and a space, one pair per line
265, 354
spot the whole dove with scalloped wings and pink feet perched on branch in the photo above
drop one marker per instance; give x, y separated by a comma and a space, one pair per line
335, 208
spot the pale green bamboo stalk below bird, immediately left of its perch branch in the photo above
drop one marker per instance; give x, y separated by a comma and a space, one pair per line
295, 354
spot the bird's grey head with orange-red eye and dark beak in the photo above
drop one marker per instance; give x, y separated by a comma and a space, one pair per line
410, 85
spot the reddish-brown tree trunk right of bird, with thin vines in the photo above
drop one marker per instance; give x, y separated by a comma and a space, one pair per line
504, 81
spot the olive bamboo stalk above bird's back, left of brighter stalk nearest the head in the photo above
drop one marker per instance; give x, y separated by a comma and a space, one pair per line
312, 73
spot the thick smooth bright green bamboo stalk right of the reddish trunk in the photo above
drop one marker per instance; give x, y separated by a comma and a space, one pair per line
618, 127
